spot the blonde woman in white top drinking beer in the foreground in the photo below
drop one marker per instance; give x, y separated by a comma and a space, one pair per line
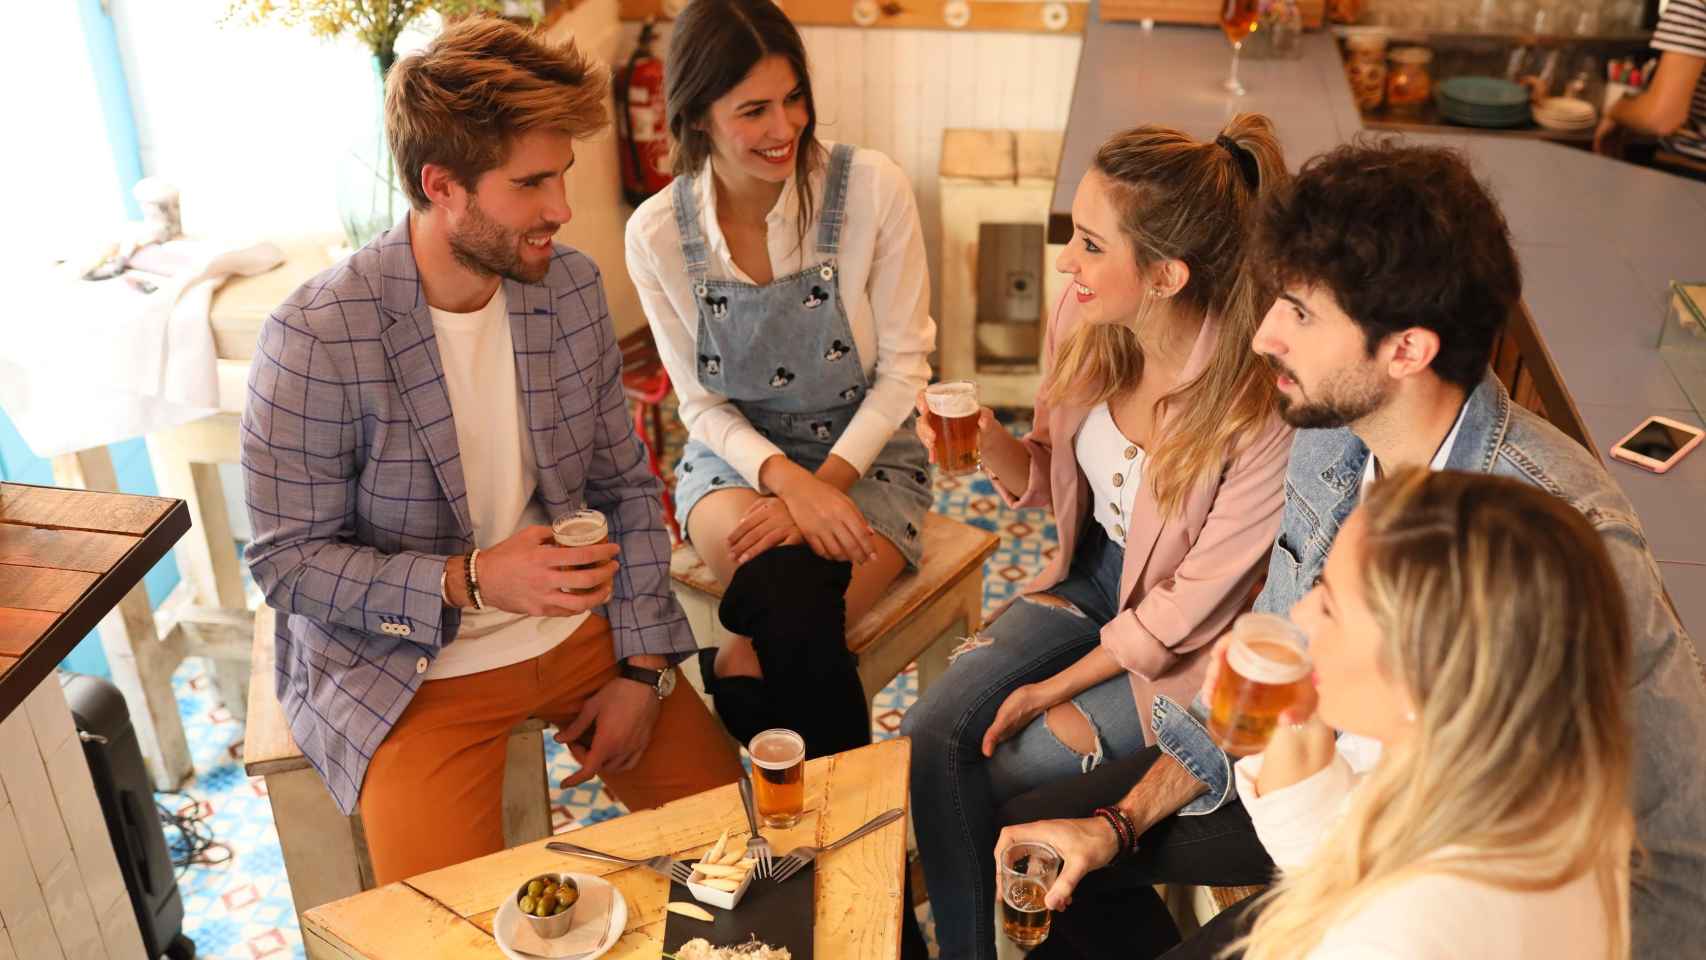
1475, 628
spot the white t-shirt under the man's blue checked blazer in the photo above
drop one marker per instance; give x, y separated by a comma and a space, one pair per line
502, 477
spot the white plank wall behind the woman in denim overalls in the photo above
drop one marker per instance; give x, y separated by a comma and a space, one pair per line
898, 90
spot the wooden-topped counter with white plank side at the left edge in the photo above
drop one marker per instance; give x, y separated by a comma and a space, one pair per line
67, 560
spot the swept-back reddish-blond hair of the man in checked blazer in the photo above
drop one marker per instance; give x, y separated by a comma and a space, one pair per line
463, 100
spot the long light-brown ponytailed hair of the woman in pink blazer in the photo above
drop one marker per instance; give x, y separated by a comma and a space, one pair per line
1185, 200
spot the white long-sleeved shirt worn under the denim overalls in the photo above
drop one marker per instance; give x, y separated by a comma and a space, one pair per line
885, 287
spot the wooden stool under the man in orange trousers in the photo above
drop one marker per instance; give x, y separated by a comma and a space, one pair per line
325, 850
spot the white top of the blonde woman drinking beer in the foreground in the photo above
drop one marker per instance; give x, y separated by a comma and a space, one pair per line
1432, 917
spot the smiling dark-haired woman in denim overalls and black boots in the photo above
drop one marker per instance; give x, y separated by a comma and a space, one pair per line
787, 289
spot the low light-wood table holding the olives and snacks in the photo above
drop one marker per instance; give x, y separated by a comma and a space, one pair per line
448, 913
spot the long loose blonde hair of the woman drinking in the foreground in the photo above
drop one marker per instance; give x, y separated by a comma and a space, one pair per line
1502, 616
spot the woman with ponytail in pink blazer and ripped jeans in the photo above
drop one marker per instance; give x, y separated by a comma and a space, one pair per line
1158, 448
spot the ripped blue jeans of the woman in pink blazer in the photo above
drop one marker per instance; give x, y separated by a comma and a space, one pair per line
956, 790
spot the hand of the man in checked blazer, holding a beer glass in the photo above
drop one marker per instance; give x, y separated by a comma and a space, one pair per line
528, 574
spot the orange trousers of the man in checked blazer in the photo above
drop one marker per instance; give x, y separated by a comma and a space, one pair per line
434, 792
